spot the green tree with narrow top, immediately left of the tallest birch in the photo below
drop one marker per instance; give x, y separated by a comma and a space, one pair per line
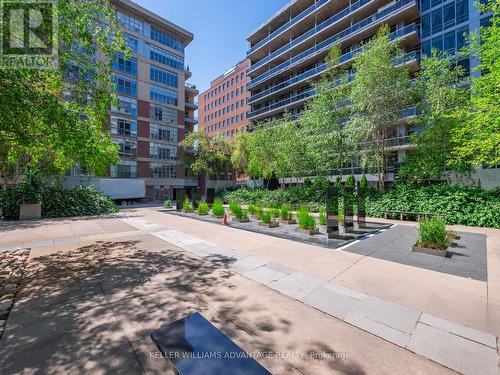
322, 121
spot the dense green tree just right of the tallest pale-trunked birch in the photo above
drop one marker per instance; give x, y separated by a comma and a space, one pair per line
440, 94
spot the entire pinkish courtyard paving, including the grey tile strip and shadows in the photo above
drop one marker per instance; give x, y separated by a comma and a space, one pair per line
95, 289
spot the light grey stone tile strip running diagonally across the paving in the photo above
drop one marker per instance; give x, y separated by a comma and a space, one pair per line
463, 349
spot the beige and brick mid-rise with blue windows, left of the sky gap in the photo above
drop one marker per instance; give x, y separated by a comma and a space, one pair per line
156, 105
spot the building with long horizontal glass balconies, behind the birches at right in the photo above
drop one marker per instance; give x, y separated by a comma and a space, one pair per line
287, 51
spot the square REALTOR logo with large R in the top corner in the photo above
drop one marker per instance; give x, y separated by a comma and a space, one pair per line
28, 30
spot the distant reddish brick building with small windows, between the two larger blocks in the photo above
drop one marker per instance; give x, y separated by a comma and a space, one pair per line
223, 107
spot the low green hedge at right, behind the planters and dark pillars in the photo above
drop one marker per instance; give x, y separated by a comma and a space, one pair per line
456, 204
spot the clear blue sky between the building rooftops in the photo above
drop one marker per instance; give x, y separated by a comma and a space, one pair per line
220, 29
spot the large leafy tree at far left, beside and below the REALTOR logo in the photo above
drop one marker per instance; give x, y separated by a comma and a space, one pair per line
52, 119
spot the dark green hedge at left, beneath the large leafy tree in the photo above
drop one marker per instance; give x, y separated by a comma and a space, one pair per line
56, 201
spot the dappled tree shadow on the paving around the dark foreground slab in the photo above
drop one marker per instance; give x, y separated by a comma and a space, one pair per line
92, 309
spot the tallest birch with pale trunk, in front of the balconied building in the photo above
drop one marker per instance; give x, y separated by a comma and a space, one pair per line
379, 93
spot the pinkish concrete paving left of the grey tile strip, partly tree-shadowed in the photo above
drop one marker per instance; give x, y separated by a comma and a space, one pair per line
89, 306
